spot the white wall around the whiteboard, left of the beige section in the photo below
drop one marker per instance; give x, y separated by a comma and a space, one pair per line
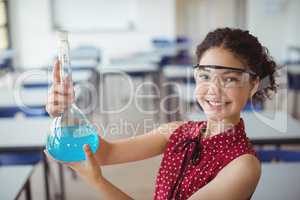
35, 44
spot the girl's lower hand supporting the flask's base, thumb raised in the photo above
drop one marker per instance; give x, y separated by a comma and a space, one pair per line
88, 170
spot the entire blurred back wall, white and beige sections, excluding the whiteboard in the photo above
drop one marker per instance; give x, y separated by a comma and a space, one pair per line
277, 28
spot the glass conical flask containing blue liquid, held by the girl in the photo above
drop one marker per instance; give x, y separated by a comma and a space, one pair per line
72, 129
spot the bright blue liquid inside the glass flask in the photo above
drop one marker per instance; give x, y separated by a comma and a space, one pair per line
66, 144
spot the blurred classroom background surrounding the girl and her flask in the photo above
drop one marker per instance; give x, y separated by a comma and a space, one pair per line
132, 69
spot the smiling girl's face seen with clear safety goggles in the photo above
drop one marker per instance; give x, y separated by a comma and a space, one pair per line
222, 93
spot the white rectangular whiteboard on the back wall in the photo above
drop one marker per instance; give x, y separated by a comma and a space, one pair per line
94, 15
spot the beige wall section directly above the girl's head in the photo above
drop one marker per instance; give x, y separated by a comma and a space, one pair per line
197, 17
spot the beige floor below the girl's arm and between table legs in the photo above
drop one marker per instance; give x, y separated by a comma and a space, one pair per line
136, 179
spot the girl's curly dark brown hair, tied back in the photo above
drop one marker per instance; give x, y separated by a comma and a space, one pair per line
249, 51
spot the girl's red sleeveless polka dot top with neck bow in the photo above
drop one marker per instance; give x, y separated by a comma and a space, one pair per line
190, 161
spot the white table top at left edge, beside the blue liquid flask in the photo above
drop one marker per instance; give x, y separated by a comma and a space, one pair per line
24, 132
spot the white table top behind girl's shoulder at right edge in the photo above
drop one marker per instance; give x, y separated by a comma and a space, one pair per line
264, 125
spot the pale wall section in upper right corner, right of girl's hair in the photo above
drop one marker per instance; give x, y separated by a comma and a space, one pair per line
276, 24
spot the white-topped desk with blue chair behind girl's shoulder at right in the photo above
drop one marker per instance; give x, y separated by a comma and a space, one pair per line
266, 128
